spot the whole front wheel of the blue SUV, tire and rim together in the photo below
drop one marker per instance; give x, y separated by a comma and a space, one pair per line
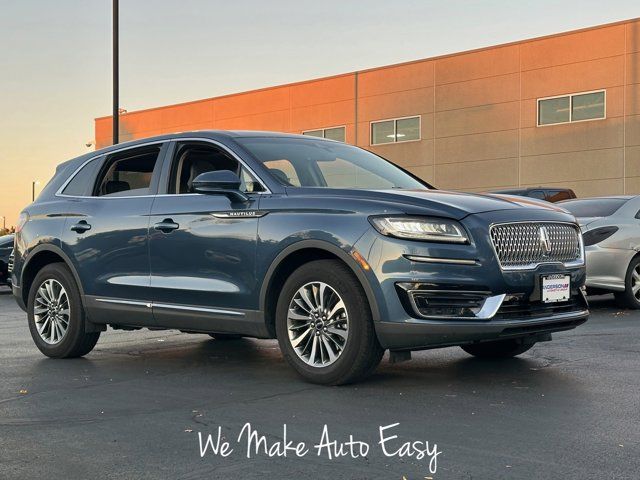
348, 333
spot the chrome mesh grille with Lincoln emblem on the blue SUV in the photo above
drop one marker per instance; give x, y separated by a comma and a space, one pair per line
527, 244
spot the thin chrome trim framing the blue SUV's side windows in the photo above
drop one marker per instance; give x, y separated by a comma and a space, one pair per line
157, 142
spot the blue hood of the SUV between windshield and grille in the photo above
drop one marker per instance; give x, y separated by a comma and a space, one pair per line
441, 202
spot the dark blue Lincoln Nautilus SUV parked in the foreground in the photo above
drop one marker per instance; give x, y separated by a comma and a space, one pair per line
334, 251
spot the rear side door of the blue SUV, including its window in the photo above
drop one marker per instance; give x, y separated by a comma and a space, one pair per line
106, 232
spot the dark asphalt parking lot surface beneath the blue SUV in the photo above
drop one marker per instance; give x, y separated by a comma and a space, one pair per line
133, 408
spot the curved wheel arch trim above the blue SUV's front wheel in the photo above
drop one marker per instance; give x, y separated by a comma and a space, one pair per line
293, 257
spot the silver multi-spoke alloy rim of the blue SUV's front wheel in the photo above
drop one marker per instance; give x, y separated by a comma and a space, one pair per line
317, 324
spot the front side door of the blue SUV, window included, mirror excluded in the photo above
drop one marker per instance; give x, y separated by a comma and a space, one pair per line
202, 247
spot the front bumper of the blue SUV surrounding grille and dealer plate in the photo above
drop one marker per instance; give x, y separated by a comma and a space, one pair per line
509, 300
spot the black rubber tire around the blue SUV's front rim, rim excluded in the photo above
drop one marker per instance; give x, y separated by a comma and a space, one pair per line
357, 310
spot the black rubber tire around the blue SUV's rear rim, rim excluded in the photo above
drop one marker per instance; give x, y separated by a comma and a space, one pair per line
75, 330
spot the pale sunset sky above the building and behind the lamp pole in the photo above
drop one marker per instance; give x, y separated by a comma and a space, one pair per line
55, 57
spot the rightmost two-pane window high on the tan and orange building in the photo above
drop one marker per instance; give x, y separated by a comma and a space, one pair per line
577, 107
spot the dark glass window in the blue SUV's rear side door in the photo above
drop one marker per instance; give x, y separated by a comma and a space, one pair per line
128, 173
